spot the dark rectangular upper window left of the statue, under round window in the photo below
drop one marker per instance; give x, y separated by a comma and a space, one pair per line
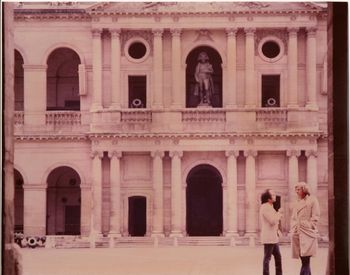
137, 91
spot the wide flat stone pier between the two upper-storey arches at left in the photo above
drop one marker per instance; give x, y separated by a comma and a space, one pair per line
35, 84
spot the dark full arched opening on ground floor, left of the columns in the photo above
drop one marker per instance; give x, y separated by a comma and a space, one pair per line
63, 202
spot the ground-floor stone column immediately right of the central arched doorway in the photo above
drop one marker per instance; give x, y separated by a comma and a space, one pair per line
232, 196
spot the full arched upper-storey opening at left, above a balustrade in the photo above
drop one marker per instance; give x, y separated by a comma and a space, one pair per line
63, 80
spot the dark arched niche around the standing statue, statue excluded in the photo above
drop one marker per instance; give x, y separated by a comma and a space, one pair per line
192, 96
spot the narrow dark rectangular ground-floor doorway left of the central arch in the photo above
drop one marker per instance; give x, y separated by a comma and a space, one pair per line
137, 216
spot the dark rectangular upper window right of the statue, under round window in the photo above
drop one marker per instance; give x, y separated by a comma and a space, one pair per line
270, 91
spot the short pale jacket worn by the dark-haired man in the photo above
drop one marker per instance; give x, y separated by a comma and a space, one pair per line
269, 219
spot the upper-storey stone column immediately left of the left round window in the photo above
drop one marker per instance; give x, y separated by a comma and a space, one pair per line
115, 68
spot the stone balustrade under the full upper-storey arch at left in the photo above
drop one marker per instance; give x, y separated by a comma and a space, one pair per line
63, 118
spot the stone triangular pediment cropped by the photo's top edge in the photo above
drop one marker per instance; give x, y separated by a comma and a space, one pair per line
201, 7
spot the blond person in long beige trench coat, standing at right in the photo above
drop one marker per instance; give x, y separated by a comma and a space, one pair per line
306, 214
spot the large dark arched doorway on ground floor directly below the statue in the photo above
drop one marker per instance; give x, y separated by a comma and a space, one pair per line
204, 202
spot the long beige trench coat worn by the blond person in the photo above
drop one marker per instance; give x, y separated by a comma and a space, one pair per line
306, 214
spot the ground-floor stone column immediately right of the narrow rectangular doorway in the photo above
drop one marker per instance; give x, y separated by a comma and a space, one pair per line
157, 193
